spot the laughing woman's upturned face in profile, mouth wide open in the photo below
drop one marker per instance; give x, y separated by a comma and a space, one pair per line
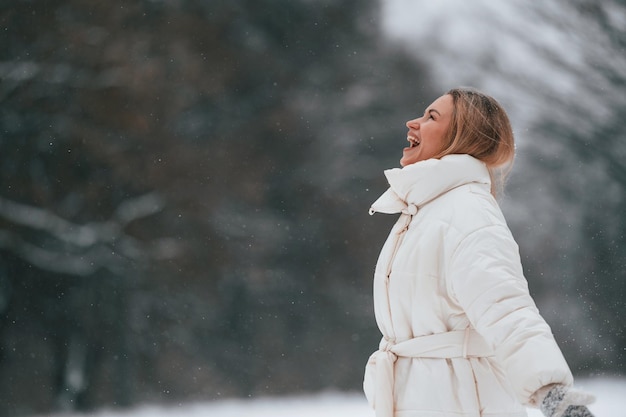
426, 134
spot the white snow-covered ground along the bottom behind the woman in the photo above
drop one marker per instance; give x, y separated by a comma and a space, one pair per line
610, 393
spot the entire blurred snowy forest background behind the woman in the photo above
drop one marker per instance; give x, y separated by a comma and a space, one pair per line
185, 184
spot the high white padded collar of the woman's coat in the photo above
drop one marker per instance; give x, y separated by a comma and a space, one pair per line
417, 184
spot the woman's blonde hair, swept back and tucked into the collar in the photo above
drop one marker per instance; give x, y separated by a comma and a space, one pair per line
481, 128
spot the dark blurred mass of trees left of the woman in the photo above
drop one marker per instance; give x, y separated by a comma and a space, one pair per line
185, 193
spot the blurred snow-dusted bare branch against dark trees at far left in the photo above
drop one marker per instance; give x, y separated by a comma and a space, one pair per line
83, 249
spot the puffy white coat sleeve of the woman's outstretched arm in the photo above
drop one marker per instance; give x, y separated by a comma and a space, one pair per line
486, 280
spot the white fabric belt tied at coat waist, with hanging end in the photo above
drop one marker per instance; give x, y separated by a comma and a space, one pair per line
379, 372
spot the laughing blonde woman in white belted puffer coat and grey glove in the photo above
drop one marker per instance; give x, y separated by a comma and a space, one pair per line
461, 334
